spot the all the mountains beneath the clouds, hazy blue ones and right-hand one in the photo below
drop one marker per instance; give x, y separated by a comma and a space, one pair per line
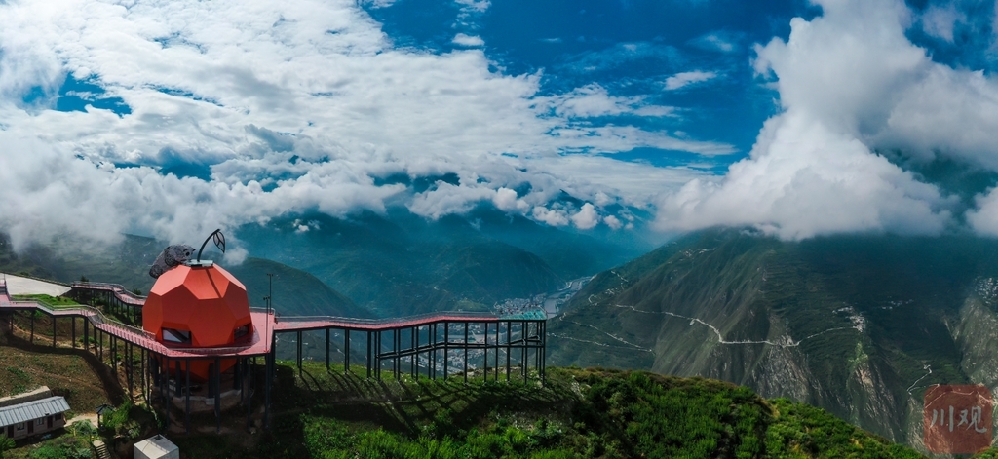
859, 325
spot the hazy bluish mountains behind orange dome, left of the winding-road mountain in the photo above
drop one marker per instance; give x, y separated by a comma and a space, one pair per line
366, 265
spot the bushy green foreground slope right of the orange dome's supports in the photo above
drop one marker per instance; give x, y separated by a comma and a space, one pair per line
578, 413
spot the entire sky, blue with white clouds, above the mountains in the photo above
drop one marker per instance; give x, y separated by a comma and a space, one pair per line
798, 118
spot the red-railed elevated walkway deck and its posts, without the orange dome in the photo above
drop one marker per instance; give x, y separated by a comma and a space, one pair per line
405, 343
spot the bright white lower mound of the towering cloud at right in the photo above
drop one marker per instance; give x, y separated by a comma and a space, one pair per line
805, 180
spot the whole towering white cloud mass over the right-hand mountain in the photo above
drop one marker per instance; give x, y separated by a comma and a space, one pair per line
851, 84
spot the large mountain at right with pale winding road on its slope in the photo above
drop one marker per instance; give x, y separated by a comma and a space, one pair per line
851, 324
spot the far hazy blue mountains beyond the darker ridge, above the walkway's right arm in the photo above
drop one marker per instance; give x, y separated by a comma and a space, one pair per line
403, 264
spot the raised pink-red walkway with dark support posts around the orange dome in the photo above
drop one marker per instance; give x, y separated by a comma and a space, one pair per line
442, 344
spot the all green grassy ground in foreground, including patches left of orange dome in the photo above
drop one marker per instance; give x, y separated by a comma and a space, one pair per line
577, 413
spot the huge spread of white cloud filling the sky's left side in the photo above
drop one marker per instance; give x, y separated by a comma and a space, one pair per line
293, 106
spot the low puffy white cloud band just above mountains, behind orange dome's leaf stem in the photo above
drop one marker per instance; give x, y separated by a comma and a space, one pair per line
48, 192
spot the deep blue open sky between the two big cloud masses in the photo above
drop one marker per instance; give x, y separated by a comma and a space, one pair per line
628, 48
